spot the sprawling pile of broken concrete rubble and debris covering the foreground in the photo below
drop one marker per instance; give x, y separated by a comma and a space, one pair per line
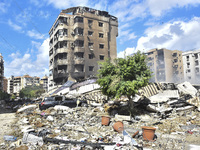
171, 116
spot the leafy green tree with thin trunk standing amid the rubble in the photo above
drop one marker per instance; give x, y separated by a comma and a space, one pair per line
124, 77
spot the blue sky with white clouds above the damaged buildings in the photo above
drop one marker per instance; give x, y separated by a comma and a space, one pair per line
143, 25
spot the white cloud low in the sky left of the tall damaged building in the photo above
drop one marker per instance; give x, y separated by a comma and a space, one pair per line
21, 65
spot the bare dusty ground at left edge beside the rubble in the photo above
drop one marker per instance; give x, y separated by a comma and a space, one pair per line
7, 118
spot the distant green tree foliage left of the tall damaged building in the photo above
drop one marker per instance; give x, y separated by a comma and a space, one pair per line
31, 92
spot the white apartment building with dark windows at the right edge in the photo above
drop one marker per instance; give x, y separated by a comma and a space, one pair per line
191, 64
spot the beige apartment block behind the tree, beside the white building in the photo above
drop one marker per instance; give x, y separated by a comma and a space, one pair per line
166, 65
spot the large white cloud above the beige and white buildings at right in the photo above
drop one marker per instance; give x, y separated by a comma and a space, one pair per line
172, 35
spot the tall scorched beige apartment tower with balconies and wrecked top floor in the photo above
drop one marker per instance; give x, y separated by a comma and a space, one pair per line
80, 38
